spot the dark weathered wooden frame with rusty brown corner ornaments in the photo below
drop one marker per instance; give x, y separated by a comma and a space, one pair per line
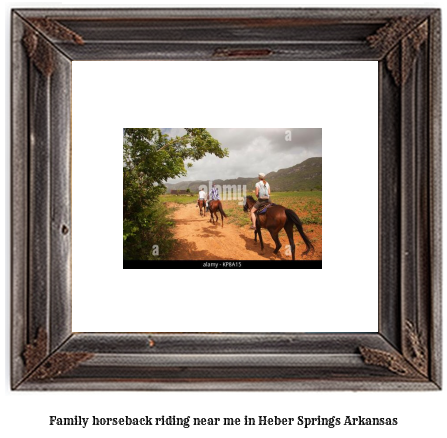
405, 354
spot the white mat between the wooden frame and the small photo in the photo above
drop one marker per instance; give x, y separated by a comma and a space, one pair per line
296, 95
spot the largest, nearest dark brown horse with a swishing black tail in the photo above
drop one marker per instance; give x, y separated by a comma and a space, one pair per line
275, 219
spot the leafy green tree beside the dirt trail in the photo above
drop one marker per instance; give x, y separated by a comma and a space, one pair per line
149, 159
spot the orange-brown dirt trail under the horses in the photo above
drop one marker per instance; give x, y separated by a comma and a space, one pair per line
199, 239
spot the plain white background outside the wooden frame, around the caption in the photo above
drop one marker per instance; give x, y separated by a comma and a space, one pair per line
419, 414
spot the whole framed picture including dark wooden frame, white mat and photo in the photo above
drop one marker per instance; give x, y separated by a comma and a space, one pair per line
226, 327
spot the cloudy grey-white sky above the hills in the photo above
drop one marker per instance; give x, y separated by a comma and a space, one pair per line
253, 150
